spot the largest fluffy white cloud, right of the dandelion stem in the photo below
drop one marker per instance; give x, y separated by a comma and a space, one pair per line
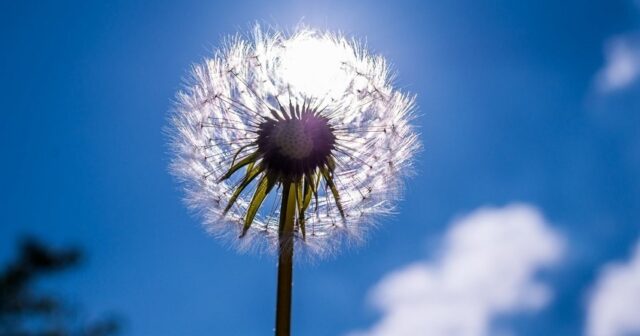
487, 268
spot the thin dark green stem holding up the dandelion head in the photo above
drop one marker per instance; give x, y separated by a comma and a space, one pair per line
285, 260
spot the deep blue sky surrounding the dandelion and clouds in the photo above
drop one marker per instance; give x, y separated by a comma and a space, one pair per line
518, 102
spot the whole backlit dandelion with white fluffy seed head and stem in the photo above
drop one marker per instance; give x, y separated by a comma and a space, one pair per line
292, 141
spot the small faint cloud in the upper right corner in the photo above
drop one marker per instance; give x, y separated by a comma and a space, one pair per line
622, 66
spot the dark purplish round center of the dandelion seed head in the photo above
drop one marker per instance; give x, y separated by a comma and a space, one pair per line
296, 145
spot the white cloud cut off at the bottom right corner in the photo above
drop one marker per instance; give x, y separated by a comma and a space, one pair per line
614, 308
